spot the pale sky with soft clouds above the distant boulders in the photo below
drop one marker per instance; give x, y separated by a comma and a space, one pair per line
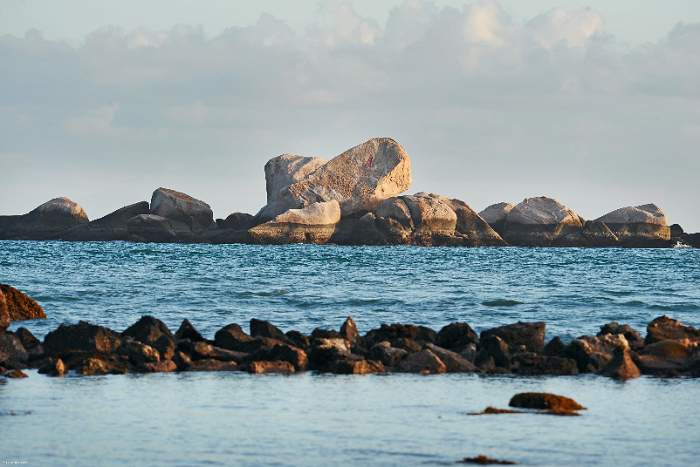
596, 104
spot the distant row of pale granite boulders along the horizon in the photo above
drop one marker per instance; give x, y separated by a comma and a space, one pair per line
354, 199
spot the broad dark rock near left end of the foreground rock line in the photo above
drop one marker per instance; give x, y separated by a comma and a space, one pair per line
82, 336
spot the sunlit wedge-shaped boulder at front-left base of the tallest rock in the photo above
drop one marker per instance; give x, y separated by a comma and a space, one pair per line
314, 223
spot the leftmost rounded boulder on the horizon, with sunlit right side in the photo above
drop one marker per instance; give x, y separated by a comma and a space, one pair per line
44, 222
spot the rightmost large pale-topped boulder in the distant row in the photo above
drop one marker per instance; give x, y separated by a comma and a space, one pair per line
639, 226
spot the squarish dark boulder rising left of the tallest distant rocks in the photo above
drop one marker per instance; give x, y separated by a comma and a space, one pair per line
181, 207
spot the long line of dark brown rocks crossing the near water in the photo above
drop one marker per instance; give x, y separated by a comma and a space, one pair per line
617, 351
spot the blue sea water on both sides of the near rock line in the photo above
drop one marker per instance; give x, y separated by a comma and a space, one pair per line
309, 419
